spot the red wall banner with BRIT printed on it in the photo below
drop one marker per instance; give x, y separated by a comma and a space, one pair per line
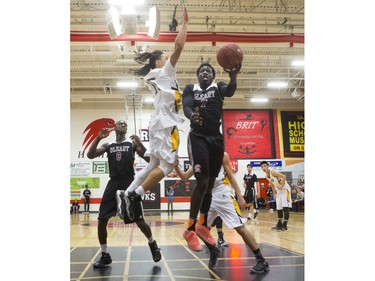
248, 134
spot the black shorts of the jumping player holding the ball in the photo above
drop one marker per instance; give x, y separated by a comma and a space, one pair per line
206, 154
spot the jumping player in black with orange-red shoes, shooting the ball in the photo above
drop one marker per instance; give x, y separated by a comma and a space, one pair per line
203, 105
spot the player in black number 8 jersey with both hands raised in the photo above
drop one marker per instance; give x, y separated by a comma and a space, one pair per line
121, 172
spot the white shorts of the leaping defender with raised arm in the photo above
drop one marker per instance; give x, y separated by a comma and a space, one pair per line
164, 144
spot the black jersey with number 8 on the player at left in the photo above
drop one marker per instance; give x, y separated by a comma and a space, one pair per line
121, 159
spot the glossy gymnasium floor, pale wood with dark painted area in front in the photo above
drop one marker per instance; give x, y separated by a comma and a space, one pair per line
132, 258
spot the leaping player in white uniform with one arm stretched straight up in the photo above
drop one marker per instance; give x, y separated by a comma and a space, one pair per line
160, 78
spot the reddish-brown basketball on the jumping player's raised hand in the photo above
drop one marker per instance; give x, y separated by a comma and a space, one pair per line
229, 56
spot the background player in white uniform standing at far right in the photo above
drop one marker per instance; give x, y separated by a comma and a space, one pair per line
282, 190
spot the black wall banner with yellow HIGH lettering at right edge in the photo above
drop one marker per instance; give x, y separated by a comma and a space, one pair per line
293, 129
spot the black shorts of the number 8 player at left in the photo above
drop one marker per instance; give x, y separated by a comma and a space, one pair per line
108, 206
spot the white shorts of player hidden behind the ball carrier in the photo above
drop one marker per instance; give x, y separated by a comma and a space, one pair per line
226, 207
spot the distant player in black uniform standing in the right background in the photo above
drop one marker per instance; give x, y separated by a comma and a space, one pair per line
252, 192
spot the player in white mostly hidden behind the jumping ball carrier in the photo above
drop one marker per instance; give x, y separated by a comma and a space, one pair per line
224, 205
